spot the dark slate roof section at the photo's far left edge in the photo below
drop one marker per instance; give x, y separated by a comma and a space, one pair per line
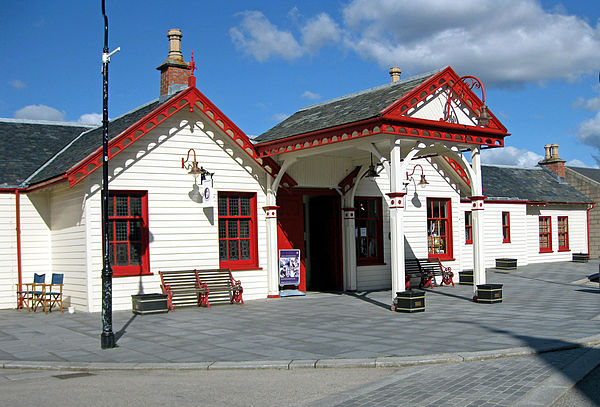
25, 145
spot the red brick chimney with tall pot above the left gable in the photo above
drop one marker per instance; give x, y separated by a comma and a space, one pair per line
174, 72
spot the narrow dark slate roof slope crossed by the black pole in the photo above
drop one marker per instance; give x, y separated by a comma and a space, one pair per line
89, 142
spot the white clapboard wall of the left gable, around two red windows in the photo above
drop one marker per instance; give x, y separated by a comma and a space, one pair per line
183, 235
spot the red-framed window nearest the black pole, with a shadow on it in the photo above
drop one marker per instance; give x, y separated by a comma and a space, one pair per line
128, 232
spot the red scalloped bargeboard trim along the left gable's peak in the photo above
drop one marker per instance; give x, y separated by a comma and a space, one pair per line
191, 99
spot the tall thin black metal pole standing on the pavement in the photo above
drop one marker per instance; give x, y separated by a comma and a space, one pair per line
107, 339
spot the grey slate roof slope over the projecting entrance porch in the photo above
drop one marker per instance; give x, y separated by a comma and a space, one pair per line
343, 110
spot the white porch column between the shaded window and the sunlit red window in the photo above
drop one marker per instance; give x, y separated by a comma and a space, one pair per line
396, 219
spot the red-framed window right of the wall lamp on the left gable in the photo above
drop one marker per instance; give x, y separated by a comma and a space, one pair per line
238, 243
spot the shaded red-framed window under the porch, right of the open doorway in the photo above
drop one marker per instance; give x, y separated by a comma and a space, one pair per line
369, 231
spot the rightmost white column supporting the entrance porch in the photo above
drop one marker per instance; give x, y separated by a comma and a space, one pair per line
477, 207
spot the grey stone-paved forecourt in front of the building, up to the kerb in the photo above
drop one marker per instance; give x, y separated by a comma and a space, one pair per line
545, 307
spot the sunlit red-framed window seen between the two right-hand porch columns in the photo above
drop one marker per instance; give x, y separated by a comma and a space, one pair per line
439, 228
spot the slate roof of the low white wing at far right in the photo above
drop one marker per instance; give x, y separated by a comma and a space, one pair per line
530, 184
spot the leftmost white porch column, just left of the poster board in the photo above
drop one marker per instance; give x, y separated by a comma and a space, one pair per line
272, 252
